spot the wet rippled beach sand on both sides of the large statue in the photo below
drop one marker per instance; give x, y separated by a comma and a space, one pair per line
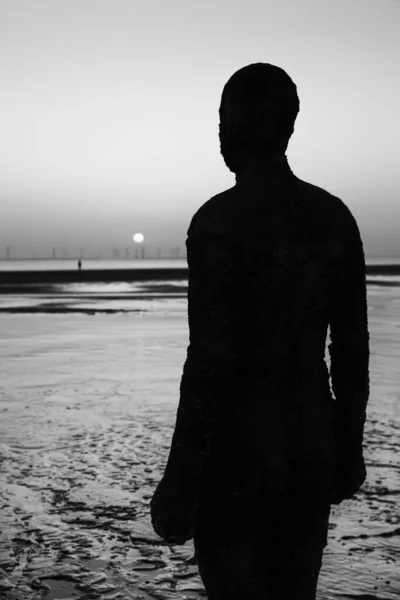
88, 407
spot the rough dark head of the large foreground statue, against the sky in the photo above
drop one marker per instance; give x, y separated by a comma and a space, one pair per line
259, 106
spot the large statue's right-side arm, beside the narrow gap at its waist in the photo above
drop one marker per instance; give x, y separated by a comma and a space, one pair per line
349, 353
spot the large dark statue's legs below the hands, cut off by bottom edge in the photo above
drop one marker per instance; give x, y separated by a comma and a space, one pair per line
278, 557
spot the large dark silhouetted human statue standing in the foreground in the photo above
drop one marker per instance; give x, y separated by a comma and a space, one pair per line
262, 447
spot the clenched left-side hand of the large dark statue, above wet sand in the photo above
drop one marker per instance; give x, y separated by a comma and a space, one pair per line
172, 512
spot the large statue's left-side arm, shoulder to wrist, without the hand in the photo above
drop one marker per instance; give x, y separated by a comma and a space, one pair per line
212, 366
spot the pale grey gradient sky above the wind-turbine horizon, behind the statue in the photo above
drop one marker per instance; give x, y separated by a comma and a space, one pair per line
109, 112
